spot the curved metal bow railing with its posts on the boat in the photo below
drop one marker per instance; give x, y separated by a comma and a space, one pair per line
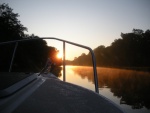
64, 52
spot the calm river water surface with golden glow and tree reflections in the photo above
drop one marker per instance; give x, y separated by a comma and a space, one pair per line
128, 89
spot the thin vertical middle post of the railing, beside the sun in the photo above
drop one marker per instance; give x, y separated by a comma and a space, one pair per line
64, 59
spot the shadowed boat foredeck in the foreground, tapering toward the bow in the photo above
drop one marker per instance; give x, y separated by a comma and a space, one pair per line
51, 95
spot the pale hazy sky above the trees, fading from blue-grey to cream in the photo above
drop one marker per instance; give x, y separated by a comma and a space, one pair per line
88, 22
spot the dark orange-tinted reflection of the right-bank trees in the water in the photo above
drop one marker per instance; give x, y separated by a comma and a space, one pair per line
131, 86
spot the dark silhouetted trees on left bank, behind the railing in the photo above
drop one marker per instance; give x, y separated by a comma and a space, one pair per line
30, 55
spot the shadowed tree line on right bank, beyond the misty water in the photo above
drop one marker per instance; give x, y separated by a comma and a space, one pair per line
131, 50
